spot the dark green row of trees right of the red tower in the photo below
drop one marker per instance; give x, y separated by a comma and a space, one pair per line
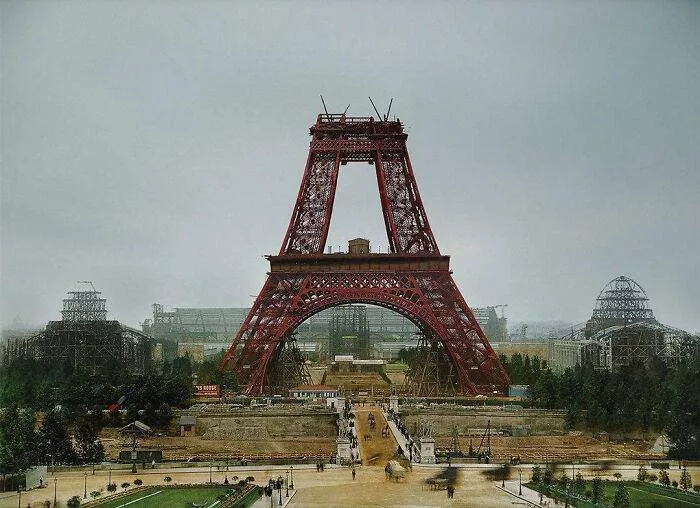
643, 397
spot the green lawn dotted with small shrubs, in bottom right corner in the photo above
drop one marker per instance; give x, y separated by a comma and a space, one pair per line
642, 495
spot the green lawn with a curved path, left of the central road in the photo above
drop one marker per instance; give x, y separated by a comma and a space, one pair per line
169, 496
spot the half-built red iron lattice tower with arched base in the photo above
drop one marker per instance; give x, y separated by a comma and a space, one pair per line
414, 279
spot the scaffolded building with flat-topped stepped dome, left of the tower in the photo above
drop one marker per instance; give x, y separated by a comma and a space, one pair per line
85, 339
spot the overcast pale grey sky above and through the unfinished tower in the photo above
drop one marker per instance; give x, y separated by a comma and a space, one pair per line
156, 148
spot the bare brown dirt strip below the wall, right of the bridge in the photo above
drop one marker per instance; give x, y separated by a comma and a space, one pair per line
556, 448
